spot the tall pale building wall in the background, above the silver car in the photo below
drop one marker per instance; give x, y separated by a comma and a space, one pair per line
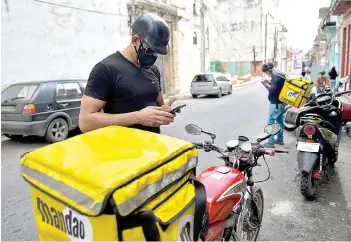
244, 26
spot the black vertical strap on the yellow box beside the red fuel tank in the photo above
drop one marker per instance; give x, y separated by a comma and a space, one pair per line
200, 206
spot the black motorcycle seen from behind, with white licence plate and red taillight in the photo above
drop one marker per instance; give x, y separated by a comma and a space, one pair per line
319, 128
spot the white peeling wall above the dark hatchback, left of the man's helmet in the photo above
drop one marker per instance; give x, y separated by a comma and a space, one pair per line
42, 41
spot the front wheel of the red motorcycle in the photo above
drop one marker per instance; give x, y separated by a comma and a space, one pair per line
252, 221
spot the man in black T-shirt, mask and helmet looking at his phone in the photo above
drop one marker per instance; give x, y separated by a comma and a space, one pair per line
125, 85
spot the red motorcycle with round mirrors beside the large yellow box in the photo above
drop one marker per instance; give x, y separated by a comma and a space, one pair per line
234, 199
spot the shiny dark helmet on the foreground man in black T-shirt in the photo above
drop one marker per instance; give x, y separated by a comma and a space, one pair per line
154, 31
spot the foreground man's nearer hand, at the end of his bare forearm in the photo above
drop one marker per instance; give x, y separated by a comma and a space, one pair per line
154, 117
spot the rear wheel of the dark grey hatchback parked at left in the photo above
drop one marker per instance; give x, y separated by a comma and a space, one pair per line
57, 130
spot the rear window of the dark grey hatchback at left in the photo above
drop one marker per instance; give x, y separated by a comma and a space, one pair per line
21, 91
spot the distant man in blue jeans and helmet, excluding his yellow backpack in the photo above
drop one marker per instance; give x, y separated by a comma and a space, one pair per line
276, 108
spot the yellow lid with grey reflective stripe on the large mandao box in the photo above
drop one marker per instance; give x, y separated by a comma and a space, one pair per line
84, 170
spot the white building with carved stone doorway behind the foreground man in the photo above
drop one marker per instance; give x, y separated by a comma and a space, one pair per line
65, 39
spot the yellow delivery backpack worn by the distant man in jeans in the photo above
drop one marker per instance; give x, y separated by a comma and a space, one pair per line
296, 91
